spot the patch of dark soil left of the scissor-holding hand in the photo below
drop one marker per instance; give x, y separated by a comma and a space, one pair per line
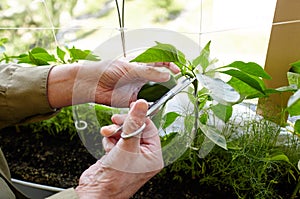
45, 159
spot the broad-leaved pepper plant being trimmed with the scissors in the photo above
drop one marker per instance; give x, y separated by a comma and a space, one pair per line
209, 93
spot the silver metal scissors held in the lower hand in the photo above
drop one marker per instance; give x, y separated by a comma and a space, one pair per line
157, 104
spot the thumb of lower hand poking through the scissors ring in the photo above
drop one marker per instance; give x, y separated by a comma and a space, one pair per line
134, 121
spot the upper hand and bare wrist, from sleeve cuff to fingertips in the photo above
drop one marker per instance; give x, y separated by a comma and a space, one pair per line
111, 83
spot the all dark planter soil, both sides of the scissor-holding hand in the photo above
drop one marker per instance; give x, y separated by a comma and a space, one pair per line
60, 162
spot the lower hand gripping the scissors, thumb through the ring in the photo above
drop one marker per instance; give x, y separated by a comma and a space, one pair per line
128, 163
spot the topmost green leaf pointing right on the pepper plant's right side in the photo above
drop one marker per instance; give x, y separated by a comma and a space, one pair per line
250, 68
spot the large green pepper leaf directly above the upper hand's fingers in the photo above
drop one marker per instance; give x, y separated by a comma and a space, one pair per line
161, 53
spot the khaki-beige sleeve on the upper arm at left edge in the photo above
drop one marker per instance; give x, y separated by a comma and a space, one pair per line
23, 94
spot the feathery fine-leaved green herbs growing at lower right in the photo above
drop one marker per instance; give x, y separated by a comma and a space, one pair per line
256, 165
